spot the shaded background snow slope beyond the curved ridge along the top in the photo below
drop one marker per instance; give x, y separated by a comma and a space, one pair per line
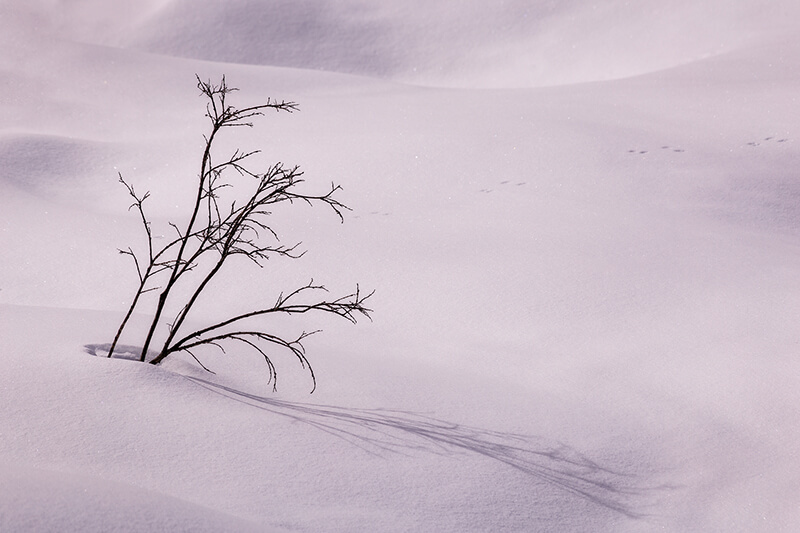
514, 43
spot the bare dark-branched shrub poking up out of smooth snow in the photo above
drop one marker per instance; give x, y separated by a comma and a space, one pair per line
218, 232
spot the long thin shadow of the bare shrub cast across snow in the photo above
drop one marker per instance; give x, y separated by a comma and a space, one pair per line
377, 430
